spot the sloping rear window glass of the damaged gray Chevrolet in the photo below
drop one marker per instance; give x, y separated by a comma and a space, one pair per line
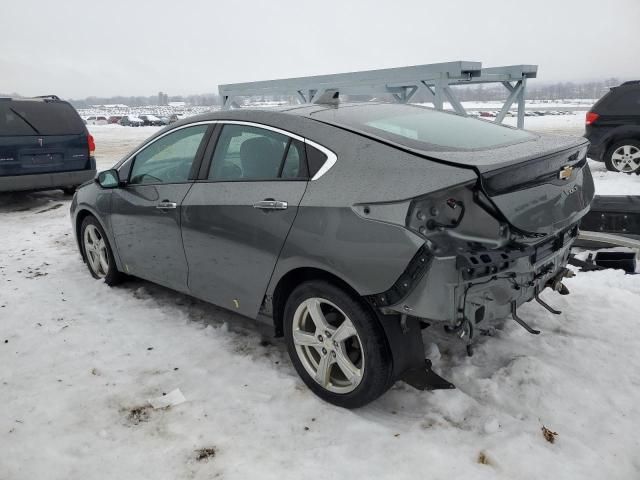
423, 128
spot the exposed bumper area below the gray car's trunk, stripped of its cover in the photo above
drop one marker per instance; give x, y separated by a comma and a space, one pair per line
482, 287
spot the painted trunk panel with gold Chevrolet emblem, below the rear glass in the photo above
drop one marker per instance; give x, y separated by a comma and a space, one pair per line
539, 186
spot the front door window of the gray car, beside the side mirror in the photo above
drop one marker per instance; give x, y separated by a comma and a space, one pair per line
169, 159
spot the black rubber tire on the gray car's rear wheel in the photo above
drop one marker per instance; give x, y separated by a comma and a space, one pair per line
377, 360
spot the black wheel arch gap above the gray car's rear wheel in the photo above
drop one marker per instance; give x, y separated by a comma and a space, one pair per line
289, 281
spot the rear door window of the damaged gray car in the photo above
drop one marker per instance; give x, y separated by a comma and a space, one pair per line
250, 153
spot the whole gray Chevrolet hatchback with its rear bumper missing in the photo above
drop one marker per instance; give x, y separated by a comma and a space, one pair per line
349, 228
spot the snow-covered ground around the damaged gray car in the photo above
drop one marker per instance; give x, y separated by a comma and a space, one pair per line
79, 361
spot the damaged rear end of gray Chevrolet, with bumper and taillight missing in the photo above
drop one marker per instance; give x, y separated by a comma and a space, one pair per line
493, 244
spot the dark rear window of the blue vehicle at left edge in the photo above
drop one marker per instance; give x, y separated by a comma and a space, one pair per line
23, 117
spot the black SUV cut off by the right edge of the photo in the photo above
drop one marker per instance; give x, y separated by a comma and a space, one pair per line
613, 128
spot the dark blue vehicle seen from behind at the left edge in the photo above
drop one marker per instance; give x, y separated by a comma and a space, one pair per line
44, 144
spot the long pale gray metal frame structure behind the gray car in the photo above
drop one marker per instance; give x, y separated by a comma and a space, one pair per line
434, 81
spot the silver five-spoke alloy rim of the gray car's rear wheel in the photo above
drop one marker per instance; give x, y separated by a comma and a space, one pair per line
328, 345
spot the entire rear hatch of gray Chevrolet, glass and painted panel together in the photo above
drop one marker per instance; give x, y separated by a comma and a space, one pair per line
539, 183
